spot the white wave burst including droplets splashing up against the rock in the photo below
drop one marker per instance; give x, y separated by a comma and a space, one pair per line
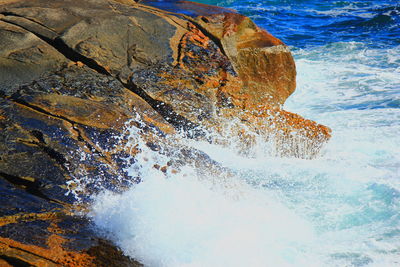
196, 215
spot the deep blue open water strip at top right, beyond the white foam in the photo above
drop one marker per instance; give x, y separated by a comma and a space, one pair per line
304, 23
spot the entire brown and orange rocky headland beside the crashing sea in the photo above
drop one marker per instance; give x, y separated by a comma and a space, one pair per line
73, 74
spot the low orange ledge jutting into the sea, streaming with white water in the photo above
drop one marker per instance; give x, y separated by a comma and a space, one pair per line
291, 134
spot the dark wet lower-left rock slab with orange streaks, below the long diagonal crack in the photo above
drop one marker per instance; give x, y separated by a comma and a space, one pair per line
52, 138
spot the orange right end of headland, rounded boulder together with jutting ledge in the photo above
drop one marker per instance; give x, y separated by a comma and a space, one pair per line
251, 75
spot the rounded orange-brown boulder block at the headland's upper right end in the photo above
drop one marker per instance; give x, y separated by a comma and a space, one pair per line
264, 64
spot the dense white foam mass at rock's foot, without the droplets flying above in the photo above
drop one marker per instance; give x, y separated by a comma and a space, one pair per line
184, 220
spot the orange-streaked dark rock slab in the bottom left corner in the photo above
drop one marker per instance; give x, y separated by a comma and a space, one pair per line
51, 236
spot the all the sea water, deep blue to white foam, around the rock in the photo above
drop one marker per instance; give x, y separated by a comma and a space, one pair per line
340, 209
